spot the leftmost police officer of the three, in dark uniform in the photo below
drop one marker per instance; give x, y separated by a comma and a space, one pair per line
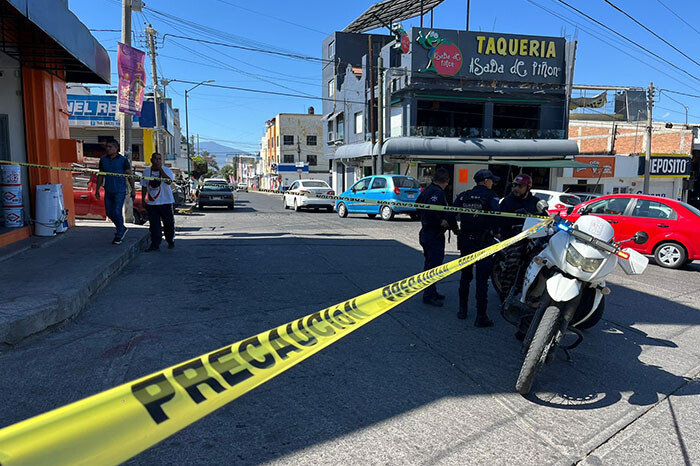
434, 223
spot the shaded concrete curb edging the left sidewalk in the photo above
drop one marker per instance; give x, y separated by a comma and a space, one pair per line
53, 310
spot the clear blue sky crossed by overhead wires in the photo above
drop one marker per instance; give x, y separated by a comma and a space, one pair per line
237, 118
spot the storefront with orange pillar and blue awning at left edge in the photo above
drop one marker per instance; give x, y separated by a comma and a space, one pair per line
43, 45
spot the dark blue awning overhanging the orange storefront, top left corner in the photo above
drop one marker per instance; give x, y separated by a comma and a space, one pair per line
45, 34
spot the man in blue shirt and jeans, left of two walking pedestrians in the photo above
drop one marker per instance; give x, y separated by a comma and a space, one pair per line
115, 187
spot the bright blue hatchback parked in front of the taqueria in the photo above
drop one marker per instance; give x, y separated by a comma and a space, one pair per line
381, 187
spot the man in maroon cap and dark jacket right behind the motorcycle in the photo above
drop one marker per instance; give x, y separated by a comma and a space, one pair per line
520, 200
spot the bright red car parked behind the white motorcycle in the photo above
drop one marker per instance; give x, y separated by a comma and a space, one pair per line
672, 226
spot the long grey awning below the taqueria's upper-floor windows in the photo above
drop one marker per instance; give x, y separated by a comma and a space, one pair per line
414, 147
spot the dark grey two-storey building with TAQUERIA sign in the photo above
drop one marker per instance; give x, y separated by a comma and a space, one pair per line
458, 99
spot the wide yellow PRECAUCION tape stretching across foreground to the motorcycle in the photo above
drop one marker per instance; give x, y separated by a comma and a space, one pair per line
115, 425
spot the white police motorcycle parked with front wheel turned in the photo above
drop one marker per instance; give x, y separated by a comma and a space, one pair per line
565, 287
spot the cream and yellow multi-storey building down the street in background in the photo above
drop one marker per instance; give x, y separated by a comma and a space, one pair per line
292, 148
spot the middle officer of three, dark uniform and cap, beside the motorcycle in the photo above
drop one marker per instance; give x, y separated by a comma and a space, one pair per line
475, 233
